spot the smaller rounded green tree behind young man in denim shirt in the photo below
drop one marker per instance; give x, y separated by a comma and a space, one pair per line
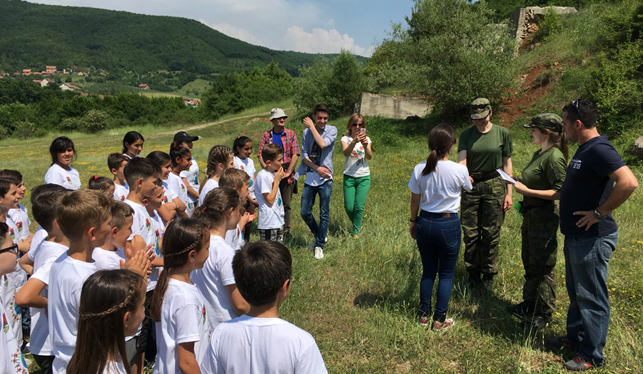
338, 85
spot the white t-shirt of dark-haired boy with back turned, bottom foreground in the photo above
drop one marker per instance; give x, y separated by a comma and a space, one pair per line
262, 345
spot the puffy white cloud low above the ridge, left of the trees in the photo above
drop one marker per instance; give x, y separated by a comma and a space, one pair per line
321, 41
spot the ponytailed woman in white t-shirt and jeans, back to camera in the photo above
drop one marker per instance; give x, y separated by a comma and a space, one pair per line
435, 189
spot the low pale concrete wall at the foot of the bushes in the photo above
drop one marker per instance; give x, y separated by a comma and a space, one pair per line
392, 106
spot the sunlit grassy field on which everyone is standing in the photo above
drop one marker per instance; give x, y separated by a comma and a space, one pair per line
360, 301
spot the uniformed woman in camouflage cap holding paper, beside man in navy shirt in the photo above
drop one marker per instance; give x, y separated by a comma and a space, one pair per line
541, 181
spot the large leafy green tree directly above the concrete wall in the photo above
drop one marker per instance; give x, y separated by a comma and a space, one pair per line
450, 52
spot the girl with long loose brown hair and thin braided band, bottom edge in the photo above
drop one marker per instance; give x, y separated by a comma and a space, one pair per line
105, 321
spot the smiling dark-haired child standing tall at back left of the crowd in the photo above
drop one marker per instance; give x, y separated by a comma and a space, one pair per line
61, 173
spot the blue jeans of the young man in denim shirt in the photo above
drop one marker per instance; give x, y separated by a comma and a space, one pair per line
308, 200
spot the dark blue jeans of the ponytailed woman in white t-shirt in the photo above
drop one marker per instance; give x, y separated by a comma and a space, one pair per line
438, 240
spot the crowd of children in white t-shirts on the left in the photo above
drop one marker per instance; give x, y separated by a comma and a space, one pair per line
150, 266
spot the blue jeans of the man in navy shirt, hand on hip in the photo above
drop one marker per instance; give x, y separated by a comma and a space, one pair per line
588, 317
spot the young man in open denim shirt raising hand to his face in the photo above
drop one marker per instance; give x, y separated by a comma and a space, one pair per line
317, 164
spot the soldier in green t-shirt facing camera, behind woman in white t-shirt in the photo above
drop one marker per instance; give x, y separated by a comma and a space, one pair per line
483, 149
